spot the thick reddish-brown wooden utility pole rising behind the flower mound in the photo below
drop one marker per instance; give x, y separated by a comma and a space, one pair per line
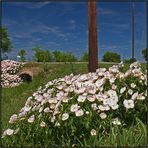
92, 35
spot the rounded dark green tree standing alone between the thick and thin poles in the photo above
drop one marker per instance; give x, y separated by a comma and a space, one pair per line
111, 57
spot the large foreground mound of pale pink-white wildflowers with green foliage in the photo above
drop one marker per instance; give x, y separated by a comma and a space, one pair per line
85, 101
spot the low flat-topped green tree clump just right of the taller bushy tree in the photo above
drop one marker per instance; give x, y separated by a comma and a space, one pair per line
64, 57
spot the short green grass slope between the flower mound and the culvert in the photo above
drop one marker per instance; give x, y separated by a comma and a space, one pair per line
14, 98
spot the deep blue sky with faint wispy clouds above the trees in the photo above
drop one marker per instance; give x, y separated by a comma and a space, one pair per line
64, 26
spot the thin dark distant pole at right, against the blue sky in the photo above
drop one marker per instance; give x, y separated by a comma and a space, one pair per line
133, 32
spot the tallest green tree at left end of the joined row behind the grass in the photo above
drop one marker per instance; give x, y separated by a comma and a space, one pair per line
42, 55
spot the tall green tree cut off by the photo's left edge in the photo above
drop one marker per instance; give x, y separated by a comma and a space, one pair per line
6, 45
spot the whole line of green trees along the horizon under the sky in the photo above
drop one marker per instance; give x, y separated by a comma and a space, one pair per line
41, 55
